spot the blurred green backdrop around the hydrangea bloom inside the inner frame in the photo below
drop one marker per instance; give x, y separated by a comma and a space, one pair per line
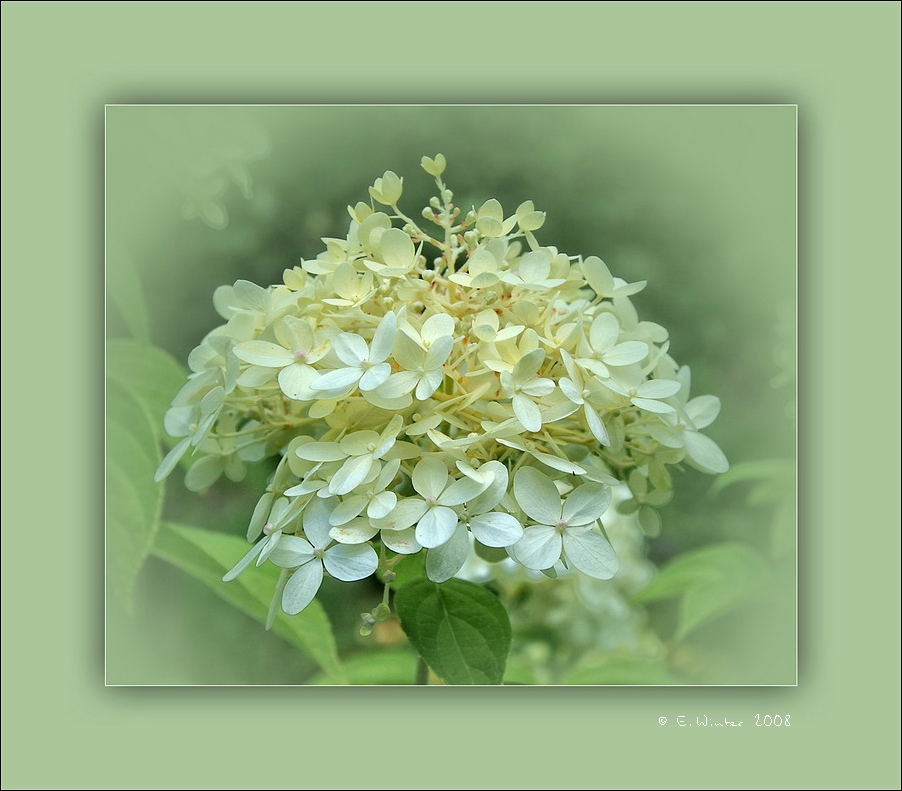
698, 201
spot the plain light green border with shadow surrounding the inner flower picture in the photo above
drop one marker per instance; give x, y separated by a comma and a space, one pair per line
63, 62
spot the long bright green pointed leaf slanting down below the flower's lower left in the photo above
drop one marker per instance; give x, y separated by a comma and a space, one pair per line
207, 555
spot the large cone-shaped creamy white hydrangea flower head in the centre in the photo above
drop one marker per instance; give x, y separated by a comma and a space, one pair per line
437, 391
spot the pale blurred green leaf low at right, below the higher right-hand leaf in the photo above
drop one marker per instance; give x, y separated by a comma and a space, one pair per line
711, 582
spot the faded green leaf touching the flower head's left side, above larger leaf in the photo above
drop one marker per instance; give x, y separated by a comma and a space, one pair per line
151, 375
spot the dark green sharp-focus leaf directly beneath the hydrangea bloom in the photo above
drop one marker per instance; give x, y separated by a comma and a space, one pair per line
460, 629
